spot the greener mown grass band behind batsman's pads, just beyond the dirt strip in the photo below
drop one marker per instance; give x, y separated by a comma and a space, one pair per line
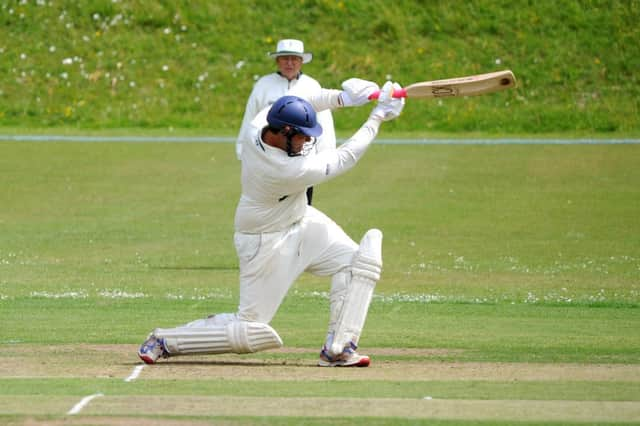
468, 332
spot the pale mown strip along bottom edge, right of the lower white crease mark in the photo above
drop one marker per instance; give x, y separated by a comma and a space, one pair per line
592, 411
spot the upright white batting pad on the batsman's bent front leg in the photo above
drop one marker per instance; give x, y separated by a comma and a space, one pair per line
365, 273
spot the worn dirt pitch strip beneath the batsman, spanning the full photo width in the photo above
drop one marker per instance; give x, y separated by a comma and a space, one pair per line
118, 361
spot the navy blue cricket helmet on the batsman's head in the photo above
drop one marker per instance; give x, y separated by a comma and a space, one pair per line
295, 112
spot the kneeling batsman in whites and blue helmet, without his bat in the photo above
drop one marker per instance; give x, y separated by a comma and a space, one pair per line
278, 236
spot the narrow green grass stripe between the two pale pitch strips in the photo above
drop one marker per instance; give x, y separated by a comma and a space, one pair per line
532, 390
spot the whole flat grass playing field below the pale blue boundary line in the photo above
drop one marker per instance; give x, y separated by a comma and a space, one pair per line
510, 290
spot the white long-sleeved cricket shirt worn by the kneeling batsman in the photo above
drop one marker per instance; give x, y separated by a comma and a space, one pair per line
274, 185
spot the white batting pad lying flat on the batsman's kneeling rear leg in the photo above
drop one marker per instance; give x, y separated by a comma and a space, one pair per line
238, 337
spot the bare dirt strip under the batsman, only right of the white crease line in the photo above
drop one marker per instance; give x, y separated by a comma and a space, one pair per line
390, 370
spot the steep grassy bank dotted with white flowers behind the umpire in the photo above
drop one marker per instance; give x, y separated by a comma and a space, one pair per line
191, 64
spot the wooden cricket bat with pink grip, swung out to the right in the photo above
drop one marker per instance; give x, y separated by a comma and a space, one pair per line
471, 85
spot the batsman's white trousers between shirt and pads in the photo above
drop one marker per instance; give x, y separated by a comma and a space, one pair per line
271, 262
